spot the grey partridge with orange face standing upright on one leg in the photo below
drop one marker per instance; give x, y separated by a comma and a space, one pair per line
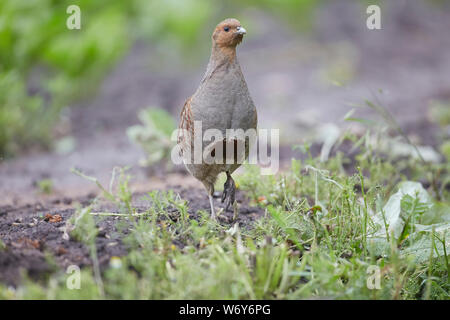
222, 101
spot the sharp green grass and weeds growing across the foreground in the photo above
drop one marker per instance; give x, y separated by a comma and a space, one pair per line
317, 239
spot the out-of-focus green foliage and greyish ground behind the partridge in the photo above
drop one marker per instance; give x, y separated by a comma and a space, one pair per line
107, 95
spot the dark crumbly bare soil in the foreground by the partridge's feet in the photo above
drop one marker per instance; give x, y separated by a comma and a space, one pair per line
33, 234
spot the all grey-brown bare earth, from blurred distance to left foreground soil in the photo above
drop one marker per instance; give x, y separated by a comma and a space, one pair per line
288, 75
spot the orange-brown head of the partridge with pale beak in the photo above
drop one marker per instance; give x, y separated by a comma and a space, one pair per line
228, 33
